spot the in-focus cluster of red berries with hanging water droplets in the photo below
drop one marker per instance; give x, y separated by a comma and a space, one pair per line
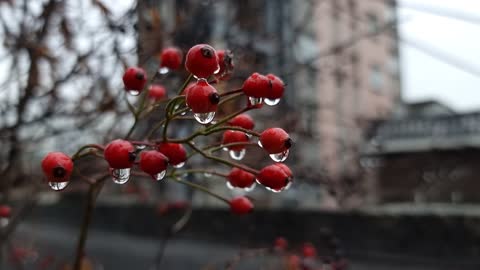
204, 63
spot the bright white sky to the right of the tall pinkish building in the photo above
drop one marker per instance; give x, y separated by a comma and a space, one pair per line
425, 77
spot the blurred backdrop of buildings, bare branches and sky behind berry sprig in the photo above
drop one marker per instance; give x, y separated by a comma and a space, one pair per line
381, 102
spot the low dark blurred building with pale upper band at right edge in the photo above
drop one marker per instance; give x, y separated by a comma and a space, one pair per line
427, 154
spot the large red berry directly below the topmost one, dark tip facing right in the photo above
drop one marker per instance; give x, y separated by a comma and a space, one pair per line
202, 97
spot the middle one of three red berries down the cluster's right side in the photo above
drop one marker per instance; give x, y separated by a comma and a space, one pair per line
275, 140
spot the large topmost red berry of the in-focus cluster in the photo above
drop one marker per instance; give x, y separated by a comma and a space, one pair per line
202, 61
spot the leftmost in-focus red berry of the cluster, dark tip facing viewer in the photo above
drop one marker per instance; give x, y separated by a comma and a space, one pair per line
57, 167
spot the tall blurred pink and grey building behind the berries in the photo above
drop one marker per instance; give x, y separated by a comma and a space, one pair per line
338, 57
